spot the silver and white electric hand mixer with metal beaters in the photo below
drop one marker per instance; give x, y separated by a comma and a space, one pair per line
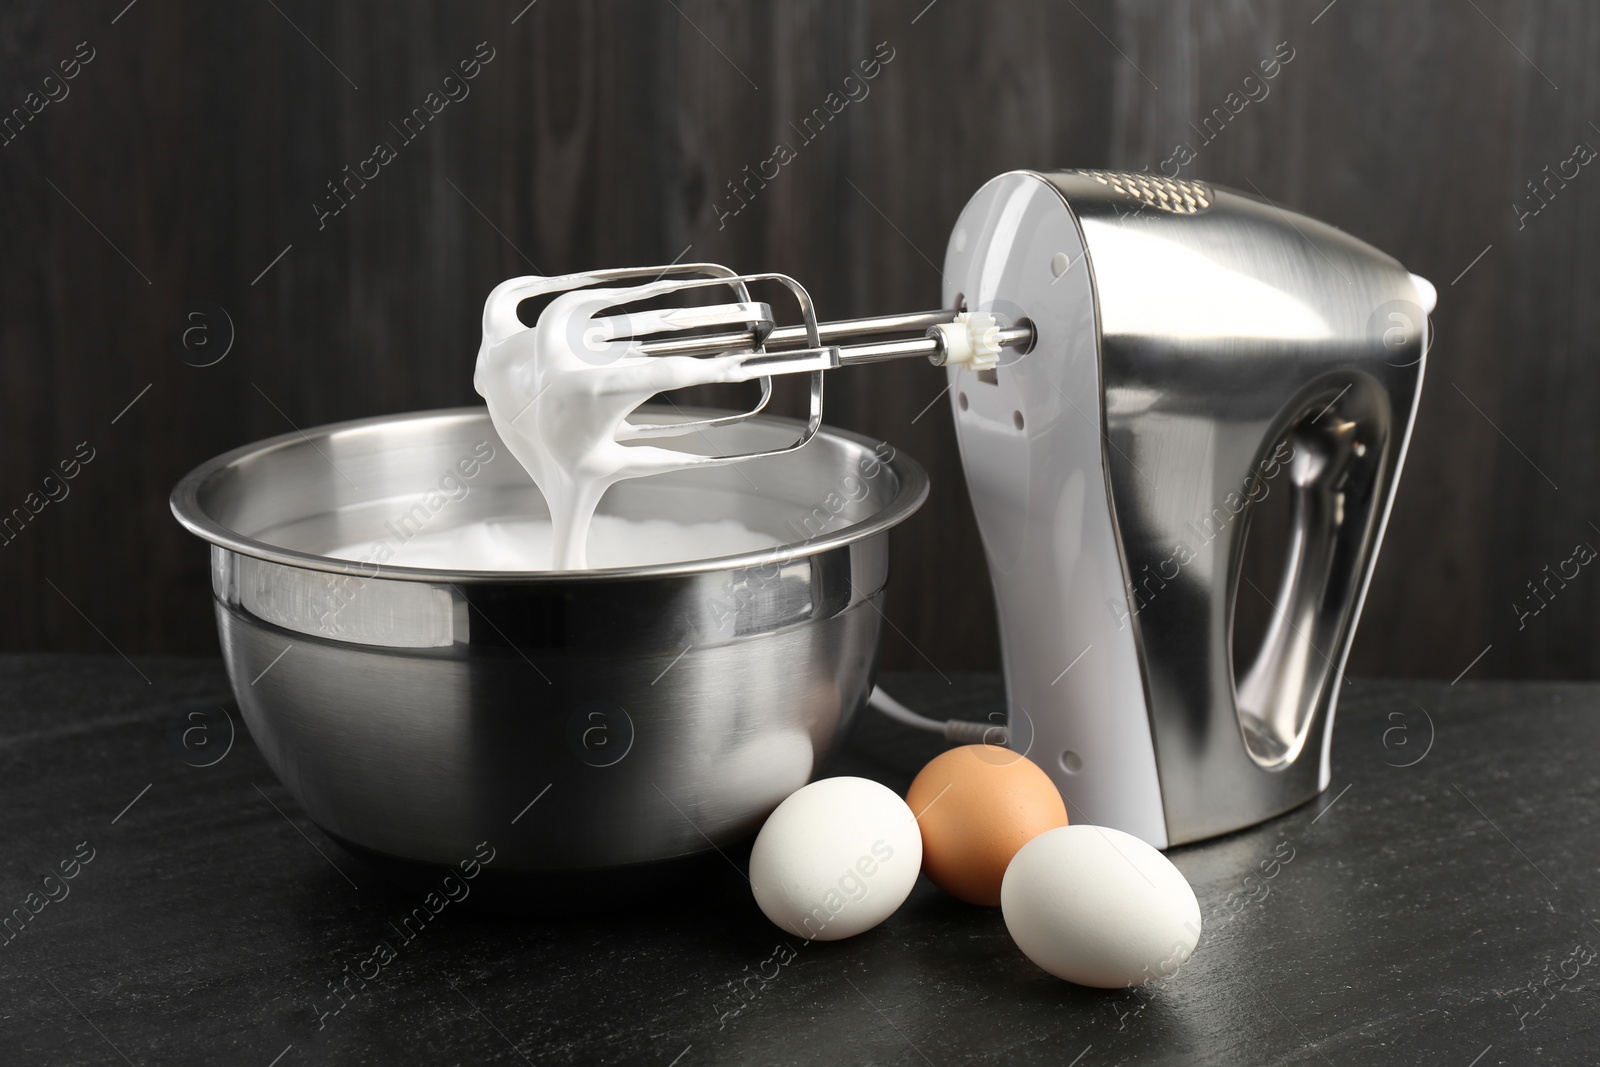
1132, 364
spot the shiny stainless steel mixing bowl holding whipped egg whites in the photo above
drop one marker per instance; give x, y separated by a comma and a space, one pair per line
575, 721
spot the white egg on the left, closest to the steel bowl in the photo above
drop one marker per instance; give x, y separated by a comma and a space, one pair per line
836, 858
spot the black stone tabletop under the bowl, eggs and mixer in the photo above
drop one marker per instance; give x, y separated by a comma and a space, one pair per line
1433, 908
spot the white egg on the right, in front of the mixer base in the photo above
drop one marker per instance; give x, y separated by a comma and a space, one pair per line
1100, 908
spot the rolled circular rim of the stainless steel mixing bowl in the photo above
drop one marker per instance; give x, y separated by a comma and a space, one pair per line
911, 494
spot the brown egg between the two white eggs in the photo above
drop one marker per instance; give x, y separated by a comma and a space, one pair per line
977, 807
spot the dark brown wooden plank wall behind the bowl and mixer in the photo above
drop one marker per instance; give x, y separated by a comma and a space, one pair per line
190, 153
